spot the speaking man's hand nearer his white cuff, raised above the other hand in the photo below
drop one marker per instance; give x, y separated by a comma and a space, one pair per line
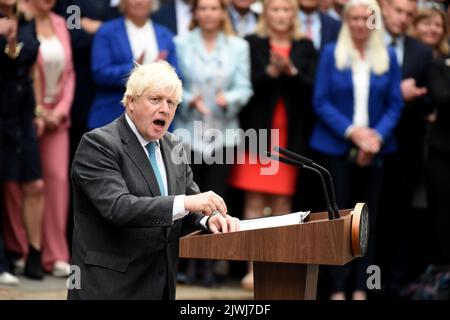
205, 203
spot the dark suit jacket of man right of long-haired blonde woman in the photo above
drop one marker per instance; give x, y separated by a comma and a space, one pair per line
416, 63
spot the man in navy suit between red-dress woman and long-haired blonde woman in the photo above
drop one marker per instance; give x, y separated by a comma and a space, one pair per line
318, 26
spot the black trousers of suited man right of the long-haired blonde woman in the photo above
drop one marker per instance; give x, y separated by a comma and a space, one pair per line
394, 250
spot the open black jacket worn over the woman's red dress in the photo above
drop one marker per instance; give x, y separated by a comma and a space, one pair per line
295, 91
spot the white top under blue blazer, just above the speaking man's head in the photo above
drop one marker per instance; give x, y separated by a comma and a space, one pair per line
142, 39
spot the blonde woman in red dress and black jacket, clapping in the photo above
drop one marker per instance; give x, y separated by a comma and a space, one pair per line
282, 72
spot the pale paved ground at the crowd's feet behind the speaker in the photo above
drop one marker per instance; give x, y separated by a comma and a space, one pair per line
55, 289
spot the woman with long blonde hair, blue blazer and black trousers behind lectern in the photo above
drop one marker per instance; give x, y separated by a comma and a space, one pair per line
358, 102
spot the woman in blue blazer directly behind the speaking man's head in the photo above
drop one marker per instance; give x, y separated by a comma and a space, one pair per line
118, 44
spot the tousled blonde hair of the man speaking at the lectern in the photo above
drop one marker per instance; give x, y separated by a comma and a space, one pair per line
155, 76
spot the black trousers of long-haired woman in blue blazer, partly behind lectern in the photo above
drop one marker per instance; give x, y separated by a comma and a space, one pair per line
354, 184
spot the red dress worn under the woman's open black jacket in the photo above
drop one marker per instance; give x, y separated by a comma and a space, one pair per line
247, 176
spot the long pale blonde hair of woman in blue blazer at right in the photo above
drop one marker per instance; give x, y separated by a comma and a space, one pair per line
345, 53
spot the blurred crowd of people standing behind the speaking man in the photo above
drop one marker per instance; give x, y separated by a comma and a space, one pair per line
361, 86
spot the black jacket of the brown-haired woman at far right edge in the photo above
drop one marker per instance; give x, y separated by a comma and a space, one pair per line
440, 94
